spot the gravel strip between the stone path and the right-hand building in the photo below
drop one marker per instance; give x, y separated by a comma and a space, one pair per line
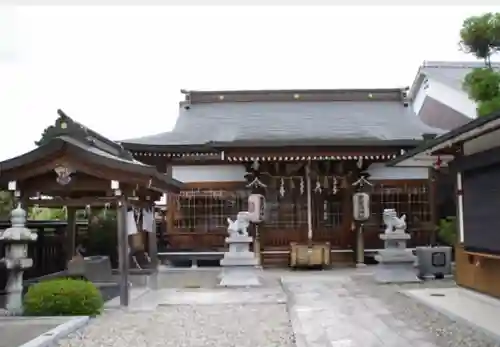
445, 331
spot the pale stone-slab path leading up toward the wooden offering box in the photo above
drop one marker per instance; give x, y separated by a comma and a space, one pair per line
329, 313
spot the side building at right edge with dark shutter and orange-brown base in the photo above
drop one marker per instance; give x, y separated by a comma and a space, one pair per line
471, 155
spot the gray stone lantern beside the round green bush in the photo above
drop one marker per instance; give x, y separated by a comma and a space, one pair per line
15, 240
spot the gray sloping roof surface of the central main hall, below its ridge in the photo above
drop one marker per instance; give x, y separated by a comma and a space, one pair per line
340, 120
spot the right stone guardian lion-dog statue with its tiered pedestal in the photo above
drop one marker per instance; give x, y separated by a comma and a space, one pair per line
395, 262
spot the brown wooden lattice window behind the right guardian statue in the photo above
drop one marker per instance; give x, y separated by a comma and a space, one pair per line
412, 200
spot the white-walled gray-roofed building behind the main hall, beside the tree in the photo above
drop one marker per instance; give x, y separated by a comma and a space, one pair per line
437, 94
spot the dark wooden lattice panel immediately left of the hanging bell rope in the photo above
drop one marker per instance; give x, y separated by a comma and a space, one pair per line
288, 211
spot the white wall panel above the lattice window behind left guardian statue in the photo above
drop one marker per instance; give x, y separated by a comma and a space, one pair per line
209, 173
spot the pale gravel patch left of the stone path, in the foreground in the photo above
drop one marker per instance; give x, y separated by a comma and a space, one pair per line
189, 326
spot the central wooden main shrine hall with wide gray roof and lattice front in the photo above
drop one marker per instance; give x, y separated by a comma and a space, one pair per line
226, 144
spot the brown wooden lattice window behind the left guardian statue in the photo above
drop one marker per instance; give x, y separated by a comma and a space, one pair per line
205, 210
